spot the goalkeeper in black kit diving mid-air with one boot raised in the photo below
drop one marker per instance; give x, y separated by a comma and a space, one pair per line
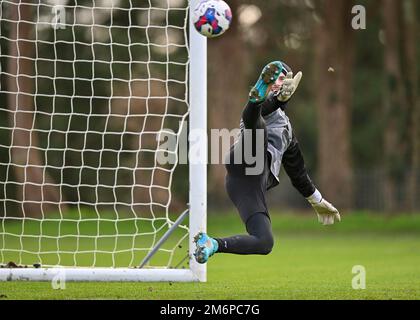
264, 116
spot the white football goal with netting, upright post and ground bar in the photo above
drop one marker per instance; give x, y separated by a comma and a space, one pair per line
90, 90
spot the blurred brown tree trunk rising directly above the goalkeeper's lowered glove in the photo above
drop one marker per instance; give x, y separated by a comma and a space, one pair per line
334, 58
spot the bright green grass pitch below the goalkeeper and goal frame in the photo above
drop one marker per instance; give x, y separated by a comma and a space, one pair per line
308, 262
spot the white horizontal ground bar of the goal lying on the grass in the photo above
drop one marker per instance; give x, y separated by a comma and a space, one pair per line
98, 275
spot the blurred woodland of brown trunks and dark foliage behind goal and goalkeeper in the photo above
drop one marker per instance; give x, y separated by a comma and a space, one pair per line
356, 114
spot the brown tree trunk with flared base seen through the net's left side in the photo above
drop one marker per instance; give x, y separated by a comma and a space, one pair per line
29, 168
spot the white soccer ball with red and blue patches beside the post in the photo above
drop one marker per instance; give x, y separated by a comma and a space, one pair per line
212, 18
